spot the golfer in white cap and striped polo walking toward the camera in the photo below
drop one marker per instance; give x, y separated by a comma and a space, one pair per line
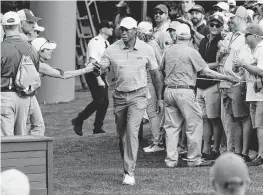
129, 58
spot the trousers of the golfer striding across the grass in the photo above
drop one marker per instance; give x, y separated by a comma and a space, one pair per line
129, 108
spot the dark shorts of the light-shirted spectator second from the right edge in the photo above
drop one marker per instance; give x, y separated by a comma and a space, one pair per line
233, 101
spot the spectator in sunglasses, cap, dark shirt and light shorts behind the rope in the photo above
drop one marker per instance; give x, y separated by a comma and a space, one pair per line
208, 94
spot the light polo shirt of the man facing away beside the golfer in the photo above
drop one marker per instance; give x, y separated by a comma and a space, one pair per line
181, 63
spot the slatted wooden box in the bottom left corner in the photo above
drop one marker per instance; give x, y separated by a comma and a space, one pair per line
33, 155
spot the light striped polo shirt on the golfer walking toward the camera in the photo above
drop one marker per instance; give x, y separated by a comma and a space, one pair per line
129, 66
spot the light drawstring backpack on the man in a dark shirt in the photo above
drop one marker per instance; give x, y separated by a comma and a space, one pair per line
27, 79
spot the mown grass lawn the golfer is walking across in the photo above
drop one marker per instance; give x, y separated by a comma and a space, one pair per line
92, 164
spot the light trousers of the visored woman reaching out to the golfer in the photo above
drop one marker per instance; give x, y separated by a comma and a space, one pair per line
35, 121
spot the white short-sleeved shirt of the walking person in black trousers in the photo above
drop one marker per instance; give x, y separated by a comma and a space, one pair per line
96, 47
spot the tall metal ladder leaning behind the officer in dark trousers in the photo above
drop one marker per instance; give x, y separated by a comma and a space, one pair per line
84, 33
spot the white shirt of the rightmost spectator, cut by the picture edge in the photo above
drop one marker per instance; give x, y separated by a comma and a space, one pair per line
258, 56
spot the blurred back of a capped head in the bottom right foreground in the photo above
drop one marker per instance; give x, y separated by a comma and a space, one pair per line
229, 175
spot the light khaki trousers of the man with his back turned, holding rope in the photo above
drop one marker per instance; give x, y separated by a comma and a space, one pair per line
181, 106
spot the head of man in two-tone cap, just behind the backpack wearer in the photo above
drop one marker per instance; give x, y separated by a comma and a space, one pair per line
28, 21
